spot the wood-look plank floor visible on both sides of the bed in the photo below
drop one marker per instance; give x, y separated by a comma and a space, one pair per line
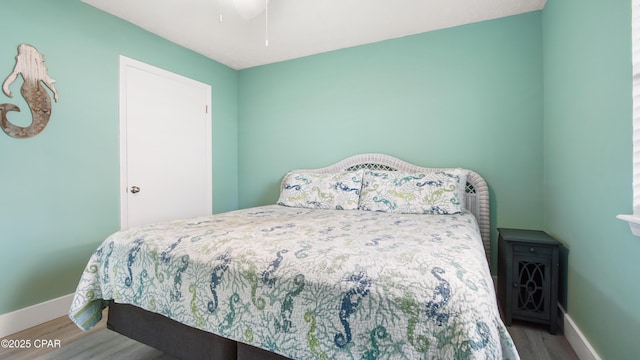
533, 342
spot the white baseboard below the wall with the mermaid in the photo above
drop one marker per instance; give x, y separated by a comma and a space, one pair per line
13, 322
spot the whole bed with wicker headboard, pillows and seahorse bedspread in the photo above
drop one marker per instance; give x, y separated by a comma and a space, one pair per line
369, 258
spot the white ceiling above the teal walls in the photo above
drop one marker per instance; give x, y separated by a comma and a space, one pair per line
298, 28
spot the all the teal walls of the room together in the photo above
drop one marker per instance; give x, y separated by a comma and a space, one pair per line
539, 104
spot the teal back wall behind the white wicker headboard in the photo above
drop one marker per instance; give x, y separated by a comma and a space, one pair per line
469, 96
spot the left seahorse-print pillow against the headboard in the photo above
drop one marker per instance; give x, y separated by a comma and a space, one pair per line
339, 191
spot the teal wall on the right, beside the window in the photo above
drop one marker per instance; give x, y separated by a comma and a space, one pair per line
588, 166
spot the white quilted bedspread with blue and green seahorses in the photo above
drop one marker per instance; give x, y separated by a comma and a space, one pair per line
306, 283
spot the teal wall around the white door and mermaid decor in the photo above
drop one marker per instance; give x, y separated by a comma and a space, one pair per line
59, 190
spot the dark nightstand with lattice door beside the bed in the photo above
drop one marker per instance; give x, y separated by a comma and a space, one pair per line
528, 263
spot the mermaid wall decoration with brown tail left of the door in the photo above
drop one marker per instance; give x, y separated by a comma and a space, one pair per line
29, 64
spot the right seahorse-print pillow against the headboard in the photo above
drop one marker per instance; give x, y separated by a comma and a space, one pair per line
437, 192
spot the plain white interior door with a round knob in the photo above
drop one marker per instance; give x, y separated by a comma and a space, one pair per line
165, 145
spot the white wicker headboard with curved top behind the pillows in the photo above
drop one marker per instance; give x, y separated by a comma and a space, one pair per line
476, 194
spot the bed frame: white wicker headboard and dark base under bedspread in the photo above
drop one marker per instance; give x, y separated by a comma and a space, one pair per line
184, 342
